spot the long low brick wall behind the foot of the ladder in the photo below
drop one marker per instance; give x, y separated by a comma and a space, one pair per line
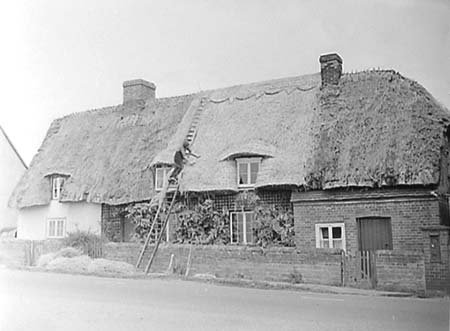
253, 263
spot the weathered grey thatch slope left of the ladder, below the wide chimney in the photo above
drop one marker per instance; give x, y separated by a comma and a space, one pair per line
106, 152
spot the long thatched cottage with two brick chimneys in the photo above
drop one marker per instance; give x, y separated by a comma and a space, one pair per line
361, 159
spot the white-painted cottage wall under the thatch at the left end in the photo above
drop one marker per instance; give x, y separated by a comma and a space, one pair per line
32, 223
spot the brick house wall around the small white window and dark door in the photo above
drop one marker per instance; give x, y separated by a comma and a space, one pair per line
408, 216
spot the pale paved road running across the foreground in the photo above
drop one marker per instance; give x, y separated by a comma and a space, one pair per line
44, 301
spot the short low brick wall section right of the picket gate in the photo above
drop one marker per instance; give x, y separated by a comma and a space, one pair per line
400, 271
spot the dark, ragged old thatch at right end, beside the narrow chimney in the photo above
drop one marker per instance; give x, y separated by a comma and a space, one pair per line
377, 129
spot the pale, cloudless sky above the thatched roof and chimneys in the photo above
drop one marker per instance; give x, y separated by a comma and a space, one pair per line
60, 57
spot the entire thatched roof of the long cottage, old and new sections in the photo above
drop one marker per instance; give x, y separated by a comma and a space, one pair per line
375, 128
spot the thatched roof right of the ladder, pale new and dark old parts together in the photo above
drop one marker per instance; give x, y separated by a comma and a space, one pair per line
374, 129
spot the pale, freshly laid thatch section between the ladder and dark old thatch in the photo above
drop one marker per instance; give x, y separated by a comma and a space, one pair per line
270, 119
